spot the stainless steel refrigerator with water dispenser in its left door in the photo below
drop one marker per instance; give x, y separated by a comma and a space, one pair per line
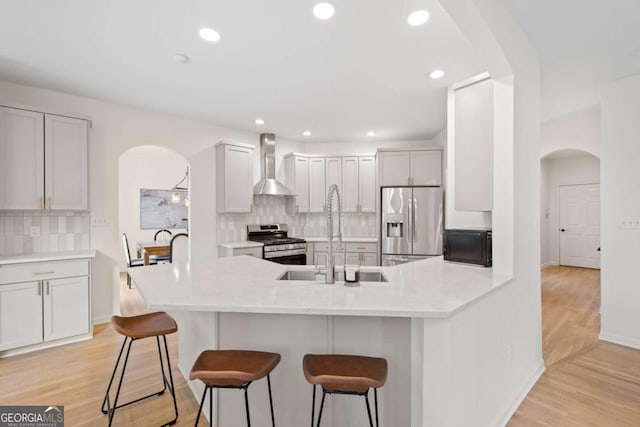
412, 223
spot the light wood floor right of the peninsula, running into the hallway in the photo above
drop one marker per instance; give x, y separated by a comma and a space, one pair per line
587, 382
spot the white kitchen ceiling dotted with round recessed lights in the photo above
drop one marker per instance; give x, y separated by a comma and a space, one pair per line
364, 69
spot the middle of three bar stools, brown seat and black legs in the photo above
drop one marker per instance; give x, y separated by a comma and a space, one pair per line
233, 369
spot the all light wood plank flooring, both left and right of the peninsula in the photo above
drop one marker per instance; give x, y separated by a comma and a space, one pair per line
587, 382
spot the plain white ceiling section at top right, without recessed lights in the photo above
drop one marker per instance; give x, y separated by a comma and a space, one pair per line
582, 44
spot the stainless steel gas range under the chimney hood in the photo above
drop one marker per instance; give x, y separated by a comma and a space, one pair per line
278, 246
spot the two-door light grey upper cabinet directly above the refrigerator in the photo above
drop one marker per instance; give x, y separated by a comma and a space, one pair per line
415, 167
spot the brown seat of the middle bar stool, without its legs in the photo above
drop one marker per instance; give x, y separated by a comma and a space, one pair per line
232, 367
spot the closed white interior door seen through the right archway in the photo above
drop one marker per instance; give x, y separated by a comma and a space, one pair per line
580, 225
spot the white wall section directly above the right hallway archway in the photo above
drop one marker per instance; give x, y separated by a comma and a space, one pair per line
579, 130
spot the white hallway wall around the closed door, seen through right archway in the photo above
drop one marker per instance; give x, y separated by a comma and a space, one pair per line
580, 169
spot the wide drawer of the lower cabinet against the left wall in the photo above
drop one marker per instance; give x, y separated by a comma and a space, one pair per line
27, 272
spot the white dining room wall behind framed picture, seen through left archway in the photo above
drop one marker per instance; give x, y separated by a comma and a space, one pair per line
144, 167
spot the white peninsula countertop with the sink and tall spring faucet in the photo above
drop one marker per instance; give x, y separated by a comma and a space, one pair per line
427, 288
